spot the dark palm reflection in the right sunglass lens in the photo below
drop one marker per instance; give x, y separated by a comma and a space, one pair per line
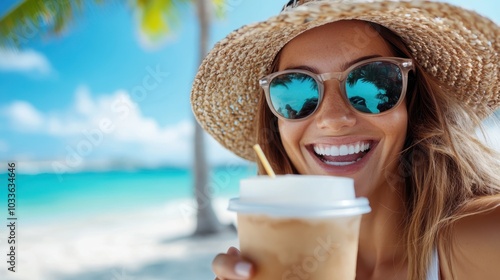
385, 76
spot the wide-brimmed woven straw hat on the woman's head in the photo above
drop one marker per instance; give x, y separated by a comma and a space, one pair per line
459, 47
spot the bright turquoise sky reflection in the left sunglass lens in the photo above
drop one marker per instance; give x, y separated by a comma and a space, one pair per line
295, 93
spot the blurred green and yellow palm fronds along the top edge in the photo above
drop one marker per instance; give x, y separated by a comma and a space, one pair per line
32, 18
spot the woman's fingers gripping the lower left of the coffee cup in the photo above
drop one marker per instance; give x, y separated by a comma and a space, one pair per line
231, 266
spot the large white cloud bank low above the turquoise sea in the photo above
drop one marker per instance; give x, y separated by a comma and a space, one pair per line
113, 127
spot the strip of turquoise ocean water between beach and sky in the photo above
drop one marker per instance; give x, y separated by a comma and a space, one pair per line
52, 197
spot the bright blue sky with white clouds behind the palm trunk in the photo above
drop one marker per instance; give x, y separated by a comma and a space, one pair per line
98, 94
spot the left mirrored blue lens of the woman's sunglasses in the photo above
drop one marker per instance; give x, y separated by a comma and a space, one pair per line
294, 95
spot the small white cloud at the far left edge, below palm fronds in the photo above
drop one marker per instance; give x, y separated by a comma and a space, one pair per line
27, 61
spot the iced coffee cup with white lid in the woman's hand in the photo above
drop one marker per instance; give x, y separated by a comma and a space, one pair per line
296, 227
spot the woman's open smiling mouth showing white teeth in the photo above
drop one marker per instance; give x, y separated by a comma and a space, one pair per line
342, 155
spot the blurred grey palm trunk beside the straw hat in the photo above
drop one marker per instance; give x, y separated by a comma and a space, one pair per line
206, 220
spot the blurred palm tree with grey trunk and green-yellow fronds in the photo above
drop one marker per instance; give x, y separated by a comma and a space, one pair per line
32, 17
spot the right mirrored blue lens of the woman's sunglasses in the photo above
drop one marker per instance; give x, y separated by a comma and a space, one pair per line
375, 87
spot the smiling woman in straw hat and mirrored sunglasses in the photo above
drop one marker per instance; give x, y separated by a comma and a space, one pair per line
387, 93
